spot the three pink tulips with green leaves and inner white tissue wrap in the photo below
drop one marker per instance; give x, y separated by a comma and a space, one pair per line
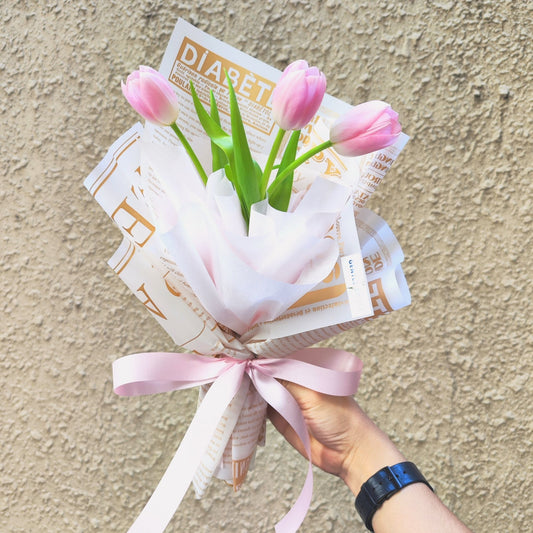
247, 247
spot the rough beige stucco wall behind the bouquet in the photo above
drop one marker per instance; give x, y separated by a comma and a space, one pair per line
449, 378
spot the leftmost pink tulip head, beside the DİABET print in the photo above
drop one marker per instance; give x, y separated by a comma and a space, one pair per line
152, 96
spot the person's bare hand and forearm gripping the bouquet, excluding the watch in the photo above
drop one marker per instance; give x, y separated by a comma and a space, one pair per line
345, 442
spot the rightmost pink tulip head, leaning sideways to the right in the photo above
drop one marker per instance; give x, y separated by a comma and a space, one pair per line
365, 128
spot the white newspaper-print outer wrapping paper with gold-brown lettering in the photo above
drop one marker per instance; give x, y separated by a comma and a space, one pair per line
367, 281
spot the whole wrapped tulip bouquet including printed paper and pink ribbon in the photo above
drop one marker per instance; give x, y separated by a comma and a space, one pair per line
221, 243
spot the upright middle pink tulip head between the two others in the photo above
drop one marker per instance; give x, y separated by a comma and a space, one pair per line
298, 95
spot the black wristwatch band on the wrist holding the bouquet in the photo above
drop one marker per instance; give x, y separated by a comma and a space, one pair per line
382, 485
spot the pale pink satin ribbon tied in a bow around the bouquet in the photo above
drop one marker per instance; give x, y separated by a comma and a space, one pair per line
324, 370
